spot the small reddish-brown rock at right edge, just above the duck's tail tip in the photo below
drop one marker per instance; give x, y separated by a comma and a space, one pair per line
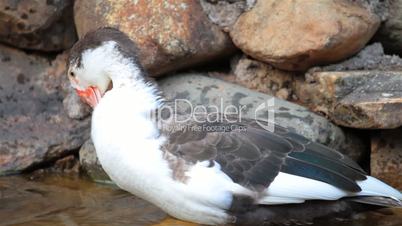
386, 156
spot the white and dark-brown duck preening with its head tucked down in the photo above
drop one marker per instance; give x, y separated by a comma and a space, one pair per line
241, 175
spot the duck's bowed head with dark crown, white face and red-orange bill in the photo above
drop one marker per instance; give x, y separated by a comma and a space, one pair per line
100, 60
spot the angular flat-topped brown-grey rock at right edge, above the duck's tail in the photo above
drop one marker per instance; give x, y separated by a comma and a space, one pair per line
357, 99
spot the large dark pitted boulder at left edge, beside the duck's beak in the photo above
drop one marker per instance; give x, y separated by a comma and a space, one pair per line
34, 127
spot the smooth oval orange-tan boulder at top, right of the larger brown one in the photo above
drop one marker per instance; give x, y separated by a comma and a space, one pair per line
295, 35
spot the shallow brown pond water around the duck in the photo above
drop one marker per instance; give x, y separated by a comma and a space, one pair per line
56, 200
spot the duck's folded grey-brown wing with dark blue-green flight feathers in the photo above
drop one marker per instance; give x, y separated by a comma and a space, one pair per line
254, 157
